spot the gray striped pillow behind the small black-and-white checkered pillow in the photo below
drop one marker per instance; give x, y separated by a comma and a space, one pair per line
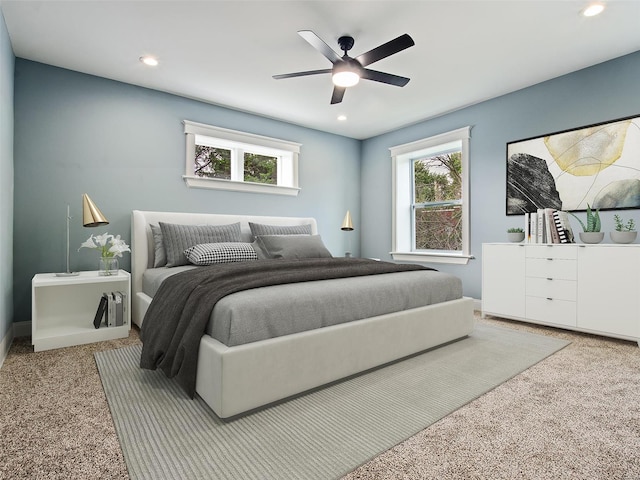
177, 238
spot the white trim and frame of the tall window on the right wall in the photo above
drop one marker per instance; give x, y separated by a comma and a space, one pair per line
402, 156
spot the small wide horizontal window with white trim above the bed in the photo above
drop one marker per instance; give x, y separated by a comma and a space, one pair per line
230, 160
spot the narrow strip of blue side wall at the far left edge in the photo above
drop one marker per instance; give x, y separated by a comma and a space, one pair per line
6, 180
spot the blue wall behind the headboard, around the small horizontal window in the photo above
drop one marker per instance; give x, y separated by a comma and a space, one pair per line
125, 147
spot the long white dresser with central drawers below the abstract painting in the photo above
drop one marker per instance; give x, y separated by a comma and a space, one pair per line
588, 288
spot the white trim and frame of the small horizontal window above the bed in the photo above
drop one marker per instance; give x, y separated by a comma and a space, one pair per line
287, 170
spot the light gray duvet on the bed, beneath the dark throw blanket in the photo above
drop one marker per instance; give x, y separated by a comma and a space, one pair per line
267, 312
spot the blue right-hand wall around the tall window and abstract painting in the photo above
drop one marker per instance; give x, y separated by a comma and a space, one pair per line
603, 92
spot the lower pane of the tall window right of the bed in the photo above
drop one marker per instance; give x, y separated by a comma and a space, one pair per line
438, 227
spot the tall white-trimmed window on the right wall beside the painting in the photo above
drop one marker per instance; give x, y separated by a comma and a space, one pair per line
430, 195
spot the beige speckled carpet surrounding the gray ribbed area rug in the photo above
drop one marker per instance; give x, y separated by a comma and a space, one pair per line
575, 415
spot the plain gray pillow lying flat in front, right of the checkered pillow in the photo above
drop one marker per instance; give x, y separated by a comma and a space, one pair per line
292, 246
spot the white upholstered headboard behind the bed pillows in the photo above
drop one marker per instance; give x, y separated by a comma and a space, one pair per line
142, 245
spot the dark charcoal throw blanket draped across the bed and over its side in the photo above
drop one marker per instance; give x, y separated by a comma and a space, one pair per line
179, 312
